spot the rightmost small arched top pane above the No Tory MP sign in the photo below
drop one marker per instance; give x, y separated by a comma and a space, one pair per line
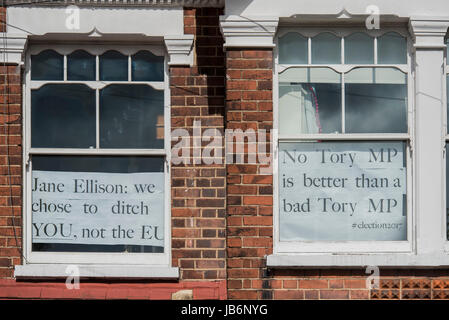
392, 49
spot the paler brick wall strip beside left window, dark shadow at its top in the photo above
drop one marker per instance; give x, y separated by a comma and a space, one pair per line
198, 190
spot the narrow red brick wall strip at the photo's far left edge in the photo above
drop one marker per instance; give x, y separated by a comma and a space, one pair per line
10, 169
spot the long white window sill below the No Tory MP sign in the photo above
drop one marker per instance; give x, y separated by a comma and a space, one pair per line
357, 260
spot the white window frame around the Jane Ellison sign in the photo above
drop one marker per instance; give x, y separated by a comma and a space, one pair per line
103, 258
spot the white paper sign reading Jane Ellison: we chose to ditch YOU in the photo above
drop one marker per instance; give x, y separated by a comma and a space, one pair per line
98, 208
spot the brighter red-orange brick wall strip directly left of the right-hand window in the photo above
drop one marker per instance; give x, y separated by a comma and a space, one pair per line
249, 193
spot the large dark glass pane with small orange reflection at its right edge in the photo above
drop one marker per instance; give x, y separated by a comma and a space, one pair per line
131, 116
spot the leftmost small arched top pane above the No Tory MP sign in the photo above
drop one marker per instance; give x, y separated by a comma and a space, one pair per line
293, 49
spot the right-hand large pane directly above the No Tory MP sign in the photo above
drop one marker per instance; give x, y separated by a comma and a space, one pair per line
376, 101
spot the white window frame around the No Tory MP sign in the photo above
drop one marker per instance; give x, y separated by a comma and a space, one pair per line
342, 247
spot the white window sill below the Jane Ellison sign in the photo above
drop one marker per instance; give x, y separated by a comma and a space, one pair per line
96, 271
